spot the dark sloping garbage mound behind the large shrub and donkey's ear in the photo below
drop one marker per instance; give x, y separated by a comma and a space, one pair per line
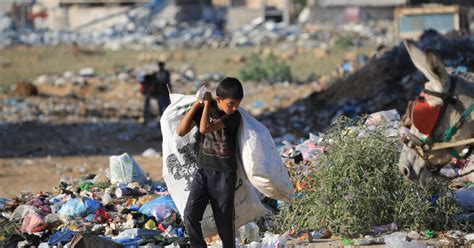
387, 81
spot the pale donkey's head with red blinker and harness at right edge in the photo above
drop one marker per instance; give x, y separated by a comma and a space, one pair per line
442, 119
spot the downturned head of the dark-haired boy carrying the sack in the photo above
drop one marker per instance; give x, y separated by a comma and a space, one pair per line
229, 94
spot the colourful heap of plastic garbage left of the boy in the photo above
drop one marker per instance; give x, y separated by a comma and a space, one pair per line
121, 208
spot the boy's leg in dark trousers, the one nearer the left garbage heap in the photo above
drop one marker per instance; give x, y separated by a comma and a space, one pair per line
195, 206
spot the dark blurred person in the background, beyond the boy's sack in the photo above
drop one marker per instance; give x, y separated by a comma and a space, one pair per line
156, 85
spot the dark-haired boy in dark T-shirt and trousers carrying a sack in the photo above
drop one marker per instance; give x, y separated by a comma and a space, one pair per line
215, 180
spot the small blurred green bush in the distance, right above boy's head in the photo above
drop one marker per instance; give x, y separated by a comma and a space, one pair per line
268, 69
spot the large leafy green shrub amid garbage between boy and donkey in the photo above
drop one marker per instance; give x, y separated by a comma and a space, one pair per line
357, 185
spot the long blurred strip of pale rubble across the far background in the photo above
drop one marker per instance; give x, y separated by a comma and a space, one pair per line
158, 33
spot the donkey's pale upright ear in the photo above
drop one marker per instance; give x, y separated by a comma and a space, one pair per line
429, 63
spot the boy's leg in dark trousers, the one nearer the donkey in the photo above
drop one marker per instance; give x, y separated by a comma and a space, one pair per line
222, 191
